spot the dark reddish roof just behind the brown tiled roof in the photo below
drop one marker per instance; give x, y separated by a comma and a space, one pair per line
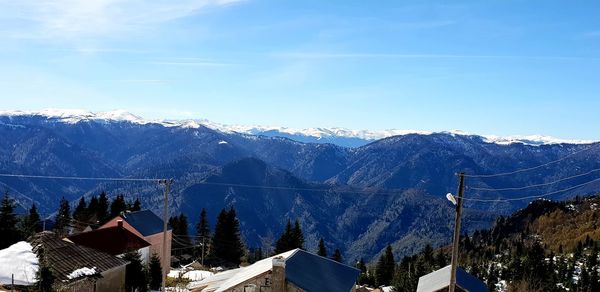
113, 240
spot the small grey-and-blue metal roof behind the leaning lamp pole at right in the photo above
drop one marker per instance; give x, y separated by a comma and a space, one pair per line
440, 279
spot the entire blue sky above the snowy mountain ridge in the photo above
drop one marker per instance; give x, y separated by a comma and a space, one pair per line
487, 67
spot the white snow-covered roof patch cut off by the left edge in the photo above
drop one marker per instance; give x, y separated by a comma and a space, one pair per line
18, 260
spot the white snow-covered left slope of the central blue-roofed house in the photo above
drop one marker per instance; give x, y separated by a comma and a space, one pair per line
225, 280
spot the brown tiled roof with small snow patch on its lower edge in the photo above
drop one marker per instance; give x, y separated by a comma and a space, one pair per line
69, 261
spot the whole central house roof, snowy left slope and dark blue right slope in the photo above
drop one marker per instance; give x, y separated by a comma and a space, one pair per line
305, 270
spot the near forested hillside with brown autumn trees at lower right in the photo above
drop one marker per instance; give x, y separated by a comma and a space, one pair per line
547, 246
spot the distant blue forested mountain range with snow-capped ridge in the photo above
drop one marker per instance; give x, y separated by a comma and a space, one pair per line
357, 191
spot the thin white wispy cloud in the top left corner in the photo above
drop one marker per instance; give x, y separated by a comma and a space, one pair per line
76, 18
